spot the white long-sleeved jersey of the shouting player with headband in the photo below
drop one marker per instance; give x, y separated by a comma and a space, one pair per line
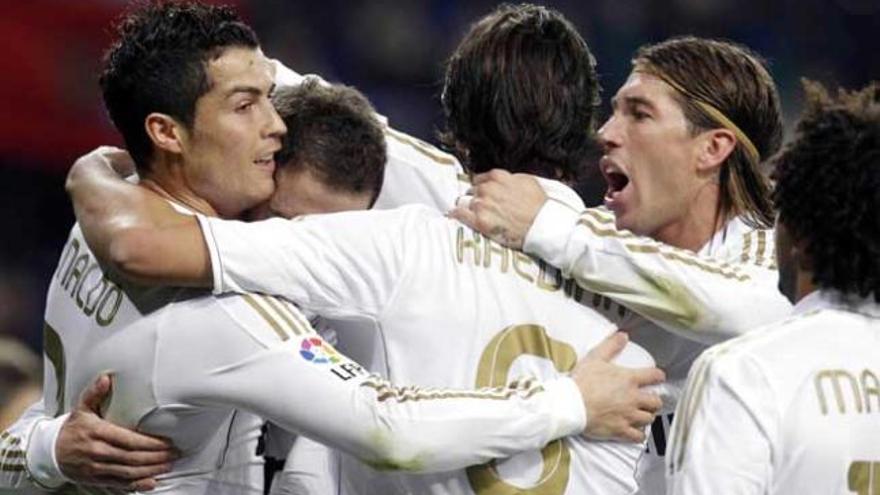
692, 300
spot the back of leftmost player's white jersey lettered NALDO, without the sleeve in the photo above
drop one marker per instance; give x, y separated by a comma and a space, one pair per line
94, 325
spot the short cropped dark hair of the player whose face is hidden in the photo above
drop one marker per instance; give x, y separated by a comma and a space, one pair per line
333, 130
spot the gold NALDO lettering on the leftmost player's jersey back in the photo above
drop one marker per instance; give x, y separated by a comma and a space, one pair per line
81, 277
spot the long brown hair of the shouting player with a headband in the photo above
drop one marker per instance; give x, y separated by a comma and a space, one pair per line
734, 80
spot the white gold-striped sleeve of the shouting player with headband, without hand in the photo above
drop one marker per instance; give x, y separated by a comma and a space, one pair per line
695, 297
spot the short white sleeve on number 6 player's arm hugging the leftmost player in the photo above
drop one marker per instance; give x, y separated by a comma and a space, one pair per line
339, 265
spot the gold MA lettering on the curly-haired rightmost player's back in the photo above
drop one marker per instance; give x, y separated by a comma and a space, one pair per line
851, 393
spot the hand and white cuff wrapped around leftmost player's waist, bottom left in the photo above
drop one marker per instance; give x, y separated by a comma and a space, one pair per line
82, 448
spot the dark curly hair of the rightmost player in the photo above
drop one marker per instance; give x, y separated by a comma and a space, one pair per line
828, 187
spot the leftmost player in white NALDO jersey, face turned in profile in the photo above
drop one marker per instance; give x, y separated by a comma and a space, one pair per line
188, 88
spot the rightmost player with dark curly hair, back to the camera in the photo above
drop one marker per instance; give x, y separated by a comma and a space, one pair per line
793, 407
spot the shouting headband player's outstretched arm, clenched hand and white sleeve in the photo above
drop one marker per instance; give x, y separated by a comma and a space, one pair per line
695, 297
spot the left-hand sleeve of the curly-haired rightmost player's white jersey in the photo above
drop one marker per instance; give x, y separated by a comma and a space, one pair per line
723, 429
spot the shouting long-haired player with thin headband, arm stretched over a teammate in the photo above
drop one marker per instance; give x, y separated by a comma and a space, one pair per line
682, 153
